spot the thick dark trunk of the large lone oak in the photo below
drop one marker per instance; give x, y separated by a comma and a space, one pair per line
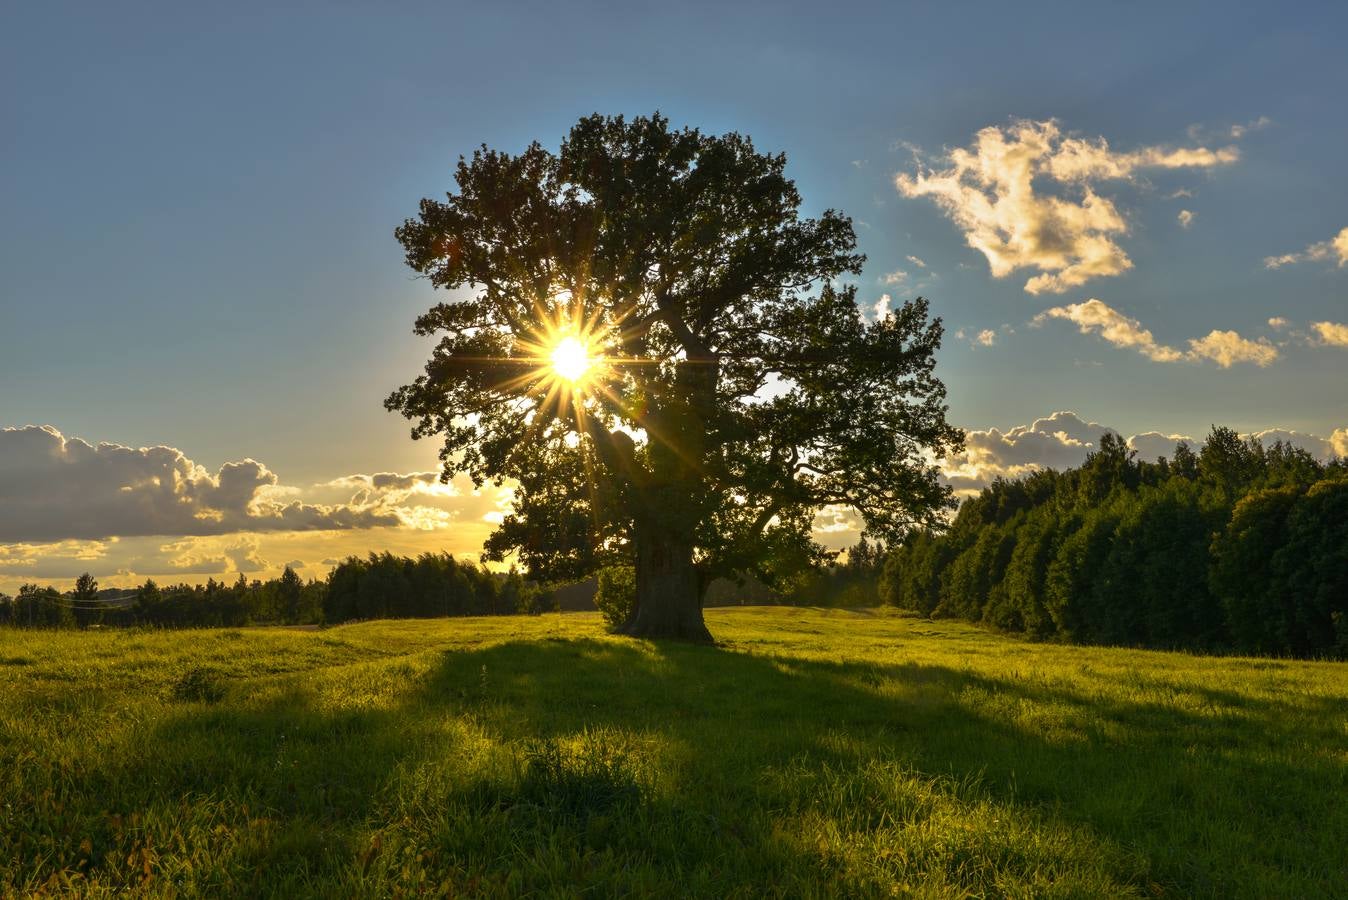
669, 596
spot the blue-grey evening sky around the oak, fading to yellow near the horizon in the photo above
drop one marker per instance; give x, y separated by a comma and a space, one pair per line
199, 205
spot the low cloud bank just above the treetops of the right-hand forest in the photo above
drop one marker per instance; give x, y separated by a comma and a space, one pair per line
1064, 440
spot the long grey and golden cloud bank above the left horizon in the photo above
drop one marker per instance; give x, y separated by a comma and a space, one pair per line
123, 514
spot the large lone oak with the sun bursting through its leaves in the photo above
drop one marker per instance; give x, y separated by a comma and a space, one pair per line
653, 344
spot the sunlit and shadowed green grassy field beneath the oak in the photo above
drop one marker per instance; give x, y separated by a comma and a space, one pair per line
812, 754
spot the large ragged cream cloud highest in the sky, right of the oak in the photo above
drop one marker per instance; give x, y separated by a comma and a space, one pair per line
994, 193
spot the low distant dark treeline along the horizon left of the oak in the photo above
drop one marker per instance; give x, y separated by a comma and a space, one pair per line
378, 587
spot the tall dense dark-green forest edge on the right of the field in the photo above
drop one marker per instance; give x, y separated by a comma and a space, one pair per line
1237, 548
